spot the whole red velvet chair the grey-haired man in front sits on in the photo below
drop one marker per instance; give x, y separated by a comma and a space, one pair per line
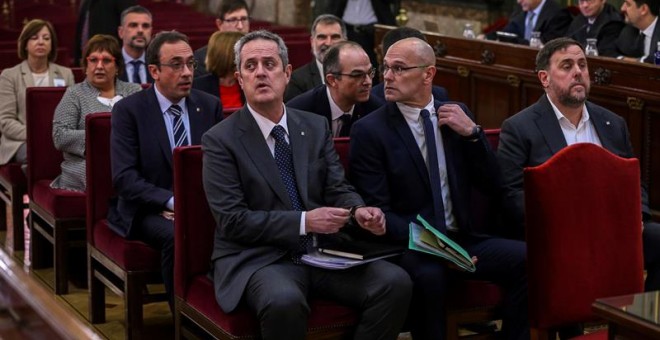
197, 312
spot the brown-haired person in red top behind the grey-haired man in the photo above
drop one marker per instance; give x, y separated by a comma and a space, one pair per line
221, 81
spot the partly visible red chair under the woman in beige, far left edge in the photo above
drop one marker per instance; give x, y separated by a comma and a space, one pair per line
13, 185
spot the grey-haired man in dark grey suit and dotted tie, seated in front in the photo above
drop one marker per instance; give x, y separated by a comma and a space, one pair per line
273, 179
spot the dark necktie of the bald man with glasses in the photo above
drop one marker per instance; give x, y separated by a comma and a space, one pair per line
434, 171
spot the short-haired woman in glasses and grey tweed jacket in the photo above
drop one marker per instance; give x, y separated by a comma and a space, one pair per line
97, 93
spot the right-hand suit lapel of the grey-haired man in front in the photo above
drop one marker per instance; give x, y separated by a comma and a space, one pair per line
299, 147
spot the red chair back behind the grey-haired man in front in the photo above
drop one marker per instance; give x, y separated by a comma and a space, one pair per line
194, 226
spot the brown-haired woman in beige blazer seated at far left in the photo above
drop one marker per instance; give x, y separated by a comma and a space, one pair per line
37, 47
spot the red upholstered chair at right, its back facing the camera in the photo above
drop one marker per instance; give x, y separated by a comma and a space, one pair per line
584, 234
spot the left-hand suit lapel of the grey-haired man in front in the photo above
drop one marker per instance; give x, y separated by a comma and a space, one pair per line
255, 147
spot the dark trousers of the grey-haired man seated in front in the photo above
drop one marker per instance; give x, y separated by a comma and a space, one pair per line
380, 291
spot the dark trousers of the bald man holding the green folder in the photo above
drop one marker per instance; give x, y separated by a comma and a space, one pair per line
501, 261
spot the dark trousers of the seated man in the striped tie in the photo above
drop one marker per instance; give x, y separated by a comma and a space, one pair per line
158, 232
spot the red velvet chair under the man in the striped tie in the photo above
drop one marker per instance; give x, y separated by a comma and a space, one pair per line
124, 266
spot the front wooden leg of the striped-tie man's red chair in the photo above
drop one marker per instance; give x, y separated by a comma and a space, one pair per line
133, 294
